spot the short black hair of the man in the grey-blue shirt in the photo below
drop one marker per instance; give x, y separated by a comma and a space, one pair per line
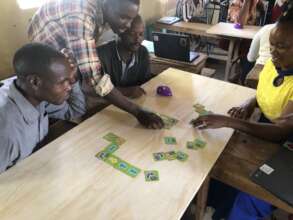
35, 58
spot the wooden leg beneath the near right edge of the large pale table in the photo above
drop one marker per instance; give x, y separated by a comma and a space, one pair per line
201, 199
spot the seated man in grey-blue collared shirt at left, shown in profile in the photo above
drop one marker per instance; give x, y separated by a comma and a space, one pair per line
44, 88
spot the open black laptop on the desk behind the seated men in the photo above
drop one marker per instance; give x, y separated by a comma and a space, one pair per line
173, 46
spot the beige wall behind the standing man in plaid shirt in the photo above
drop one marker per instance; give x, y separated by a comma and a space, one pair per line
13, 23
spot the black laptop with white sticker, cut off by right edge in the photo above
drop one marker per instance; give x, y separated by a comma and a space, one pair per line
276, 175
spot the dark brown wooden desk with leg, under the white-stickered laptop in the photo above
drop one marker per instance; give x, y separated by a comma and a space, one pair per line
241, 157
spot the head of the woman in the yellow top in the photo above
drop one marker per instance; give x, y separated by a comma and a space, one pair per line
281, 41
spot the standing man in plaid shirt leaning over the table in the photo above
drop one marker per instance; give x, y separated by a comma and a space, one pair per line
76, 25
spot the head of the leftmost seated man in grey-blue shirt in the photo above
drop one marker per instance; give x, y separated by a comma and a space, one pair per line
43, 73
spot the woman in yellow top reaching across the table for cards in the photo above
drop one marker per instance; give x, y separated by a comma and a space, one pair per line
274, 95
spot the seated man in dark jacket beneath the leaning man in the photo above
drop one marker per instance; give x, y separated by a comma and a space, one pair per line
127, 61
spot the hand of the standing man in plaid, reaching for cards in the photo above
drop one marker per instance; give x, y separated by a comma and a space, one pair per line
149, 119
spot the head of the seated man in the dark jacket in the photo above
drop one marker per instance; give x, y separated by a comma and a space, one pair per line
133, 37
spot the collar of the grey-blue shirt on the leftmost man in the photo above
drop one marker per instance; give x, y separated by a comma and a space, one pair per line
29, 112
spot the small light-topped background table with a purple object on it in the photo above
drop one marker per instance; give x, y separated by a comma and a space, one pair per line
227, 30
